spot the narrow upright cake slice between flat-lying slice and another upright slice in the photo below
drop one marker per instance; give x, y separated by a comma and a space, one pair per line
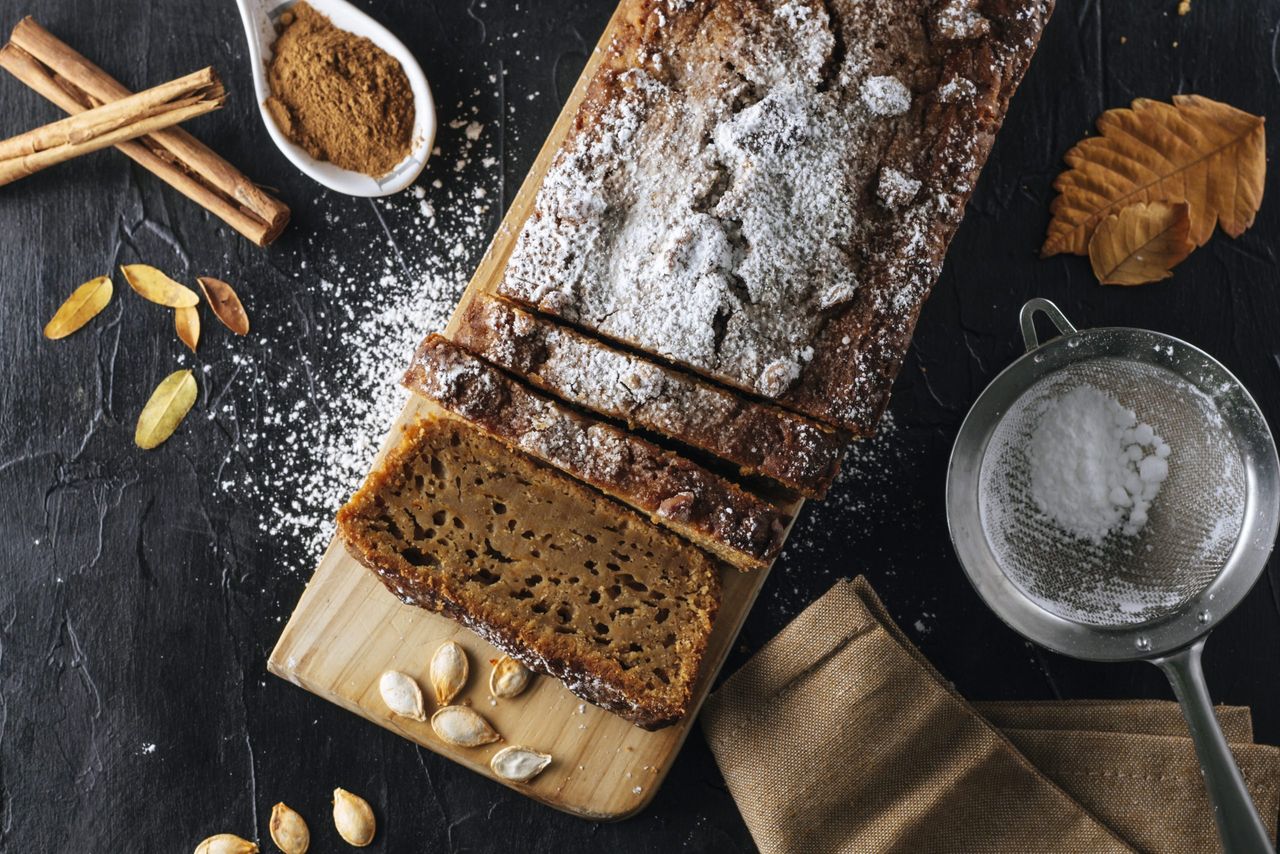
714, 513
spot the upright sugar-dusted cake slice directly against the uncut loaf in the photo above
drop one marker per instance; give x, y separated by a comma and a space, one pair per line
757, 439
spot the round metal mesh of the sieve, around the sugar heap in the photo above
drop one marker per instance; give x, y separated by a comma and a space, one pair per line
1194, 523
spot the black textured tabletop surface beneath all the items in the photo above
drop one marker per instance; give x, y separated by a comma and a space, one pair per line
139, 604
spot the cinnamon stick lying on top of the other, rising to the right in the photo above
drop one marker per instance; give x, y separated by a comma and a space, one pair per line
106, 126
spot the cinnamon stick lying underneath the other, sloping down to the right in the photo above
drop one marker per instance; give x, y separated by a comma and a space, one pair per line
52, 68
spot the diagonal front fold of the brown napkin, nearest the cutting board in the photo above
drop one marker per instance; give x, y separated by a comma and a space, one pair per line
835, 738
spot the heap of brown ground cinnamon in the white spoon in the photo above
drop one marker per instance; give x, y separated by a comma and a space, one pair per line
340, 97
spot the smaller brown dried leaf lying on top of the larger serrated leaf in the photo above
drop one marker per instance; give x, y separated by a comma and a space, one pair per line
1141, 244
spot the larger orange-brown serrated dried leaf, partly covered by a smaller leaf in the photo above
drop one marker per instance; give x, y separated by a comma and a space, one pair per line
1195, 150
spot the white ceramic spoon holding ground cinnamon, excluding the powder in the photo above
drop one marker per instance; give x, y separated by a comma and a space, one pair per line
260, 17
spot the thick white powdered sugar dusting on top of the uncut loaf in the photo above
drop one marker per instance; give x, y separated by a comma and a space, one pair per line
726, 236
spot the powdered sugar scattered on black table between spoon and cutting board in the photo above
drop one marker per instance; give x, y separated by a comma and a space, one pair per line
354, 325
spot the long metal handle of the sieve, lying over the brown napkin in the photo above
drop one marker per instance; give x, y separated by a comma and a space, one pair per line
1238, 823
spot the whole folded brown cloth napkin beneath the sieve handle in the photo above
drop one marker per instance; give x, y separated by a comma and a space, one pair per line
840, 737
